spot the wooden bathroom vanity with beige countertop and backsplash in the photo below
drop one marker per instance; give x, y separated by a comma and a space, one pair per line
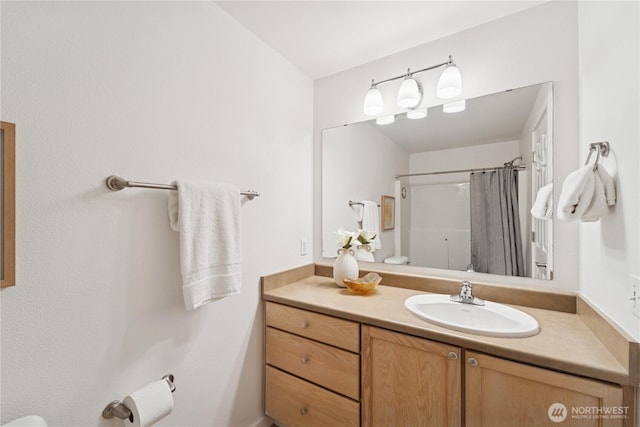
337, 359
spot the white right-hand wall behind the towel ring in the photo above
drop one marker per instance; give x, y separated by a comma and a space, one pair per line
609, 111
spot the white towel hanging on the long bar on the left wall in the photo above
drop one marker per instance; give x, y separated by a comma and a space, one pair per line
208, 218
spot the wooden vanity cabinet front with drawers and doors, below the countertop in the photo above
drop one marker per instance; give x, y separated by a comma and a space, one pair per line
326, 371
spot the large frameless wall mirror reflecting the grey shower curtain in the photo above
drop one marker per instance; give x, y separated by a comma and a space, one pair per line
464, 184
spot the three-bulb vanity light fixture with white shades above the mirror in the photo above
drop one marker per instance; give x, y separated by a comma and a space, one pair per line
410, 93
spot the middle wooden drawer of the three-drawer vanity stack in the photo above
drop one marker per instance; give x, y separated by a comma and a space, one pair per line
330, 367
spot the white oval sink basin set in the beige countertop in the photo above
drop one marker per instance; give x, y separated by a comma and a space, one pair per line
491, 319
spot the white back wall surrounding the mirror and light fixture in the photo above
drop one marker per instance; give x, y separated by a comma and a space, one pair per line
530, 47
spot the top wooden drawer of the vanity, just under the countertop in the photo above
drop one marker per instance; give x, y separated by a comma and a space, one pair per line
337, 332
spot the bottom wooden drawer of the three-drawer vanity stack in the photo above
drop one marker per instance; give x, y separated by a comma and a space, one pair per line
295, 402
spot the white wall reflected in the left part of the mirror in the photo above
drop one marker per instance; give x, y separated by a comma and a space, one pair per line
349, 151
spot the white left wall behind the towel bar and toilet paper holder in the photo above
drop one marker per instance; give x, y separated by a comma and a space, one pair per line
152, 91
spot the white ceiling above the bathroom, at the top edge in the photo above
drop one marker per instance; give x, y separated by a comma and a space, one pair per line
326, 37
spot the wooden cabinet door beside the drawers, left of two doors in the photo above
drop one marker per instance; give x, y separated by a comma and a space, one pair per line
409, 381
